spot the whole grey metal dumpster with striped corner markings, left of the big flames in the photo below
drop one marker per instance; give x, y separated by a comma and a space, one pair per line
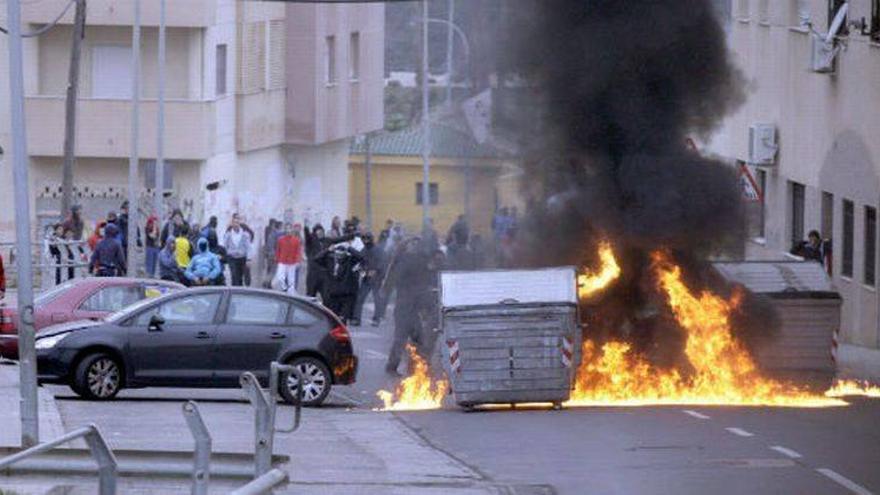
510, 336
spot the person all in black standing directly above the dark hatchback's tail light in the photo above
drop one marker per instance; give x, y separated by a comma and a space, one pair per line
340, 278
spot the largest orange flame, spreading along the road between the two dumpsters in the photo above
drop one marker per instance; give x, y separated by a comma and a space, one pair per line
722, 372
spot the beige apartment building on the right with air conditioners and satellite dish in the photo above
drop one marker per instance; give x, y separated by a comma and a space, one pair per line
823, 118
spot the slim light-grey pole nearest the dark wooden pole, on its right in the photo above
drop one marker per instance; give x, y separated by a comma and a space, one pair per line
131, 235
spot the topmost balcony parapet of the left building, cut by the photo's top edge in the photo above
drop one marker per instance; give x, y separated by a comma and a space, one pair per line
179, 13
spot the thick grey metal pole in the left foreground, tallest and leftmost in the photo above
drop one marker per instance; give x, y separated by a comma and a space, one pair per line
30, 425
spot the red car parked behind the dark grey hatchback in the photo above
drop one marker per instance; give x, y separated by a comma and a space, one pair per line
80, 299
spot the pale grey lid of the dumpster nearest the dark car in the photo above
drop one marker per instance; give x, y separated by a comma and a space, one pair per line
486, 287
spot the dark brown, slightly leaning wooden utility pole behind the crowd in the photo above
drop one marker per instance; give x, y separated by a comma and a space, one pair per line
79, 28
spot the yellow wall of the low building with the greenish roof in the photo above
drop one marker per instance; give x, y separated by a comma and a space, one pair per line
394, 192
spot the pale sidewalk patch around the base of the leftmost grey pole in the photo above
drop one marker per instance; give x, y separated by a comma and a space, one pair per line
10, 418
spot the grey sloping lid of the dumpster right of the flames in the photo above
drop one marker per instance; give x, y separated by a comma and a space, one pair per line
779, 278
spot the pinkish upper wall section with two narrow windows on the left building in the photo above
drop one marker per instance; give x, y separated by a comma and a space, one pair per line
318, 111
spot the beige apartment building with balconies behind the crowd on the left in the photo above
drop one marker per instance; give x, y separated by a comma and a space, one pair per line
262, 99
